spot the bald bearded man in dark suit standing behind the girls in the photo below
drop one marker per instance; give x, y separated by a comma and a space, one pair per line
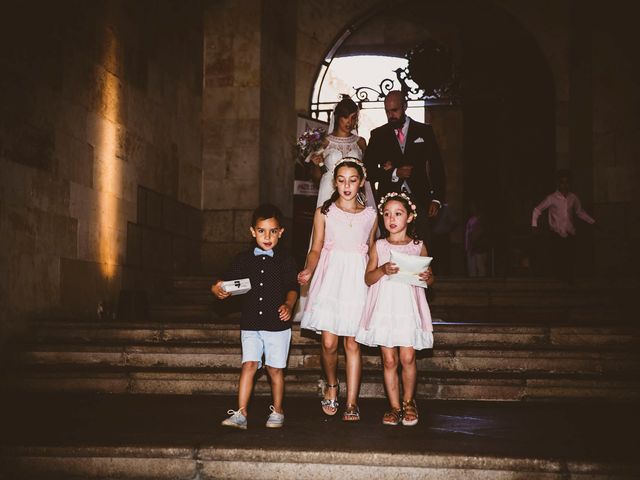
403, 156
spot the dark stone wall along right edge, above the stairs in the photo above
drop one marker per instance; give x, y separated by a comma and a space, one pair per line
615, 71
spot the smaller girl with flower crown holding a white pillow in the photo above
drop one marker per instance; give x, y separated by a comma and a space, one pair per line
396, 315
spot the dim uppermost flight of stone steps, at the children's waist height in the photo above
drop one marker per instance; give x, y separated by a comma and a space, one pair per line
484, 300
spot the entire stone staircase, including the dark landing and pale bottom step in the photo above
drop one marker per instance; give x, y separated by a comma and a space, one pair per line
516, 341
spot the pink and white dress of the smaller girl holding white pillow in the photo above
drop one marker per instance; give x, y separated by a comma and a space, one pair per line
395, 314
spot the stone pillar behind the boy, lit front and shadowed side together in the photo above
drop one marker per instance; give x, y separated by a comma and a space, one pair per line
249, 120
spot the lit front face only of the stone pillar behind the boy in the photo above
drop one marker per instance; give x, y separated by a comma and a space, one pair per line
231, 126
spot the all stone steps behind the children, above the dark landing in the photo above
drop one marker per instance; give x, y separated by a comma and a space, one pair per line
193, 347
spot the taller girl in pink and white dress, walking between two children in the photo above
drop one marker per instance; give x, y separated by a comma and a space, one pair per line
343, 231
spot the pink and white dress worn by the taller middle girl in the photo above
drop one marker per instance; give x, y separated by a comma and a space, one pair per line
337, 292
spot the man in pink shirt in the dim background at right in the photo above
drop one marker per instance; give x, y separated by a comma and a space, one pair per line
563, 205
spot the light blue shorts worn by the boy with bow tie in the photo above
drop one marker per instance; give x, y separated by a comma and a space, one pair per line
273, 345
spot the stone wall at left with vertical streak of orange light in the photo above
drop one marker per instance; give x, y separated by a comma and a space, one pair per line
96, 99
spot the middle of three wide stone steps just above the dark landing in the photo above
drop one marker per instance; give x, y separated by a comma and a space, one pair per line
442, 359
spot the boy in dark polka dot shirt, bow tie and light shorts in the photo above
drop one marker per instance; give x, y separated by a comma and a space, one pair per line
265, 324
